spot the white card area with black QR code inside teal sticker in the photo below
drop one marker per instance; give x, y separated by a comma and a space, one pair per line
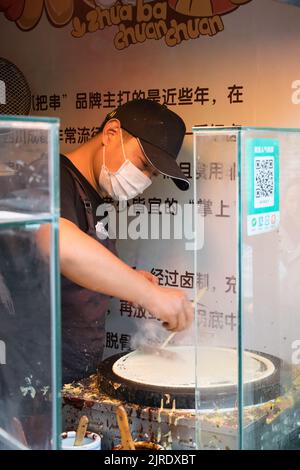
264, 182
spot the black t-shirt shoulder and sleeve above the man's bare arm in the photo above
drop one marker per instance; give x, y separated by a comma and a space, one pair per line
72, 207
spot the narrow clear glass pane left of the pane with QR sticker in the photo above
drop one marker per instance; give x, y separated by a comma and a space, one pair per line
215, 157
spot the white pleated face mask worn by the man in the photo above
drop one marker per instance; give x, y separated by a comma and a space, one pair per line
126, 183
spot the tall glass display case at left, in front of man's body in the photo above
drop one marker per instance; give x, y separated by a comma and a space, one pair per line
29, 284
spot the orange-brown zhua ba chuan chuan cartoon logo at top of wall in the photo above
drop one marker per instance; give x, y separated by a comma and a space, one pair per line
137, 20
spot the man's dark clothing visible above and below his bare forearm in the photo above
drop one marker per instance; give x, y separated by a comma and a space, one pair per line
83, 311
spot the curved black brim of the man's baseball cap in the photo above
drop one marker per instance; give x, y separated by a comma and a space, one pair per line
165, 164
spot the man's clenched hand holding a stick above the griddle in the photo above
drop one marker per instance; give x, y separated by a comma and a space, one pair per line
171, 306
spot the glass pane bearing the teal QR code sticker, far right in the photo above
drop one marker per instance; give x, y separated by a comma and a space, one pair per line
270, 272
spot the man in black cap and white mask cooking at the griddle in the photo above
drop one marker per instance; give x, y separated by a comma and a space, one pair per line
137, 141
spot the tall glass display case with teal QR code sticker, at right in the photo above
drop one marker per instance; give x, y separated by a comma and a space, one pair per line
247, 206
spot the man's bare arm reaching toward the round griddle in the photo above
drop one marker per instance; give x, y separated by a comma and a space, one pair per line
90, 264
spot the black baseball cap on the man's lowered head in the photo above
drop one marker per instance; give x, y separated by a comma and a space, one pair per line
160, 133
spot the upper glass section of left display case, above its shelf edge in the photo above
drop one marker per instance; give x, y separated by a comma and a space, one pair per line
27, 178
